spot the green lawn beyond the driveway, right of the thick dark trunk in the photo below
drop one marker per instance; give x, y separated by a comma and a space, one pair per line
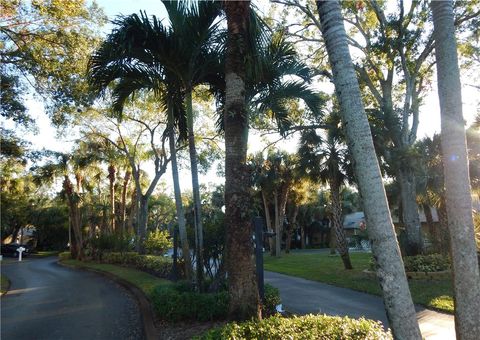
321, 267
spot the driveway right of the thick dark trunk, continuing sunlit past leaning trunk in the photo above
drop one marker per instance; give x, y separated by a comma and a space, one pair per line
302, 296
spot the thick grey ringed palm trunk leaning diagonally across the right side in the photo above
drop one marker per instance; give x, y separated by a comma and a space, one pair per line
391, 273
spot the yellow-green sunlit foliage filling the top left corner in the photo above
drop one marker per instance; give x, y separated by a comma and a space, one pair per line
45, 45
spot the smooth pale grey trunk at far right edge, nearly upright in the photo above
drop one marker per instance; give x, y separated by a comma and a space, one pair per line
466, 276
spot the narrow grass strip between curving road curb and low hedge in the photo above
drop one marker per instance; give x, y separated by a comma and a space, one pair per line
146, 282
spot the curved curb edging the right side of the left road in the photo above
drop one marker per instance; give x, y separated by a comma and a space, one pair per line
146, 312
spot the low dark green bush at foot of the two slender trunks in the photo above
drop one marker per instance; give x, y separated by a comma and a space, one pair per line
177, 303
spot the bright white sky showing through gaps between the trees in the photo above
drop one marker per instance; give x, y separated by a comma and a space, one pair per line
46, 138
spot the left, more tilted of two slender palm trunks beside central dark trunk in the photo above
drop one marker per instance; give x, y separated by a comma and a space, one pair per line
178, 200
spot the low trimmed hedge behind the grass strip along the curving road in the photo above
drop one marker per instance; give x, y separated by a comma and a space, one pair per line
156, 265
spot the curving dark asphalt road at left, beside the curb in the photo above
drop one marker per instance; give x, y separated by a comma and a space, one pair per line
48, 301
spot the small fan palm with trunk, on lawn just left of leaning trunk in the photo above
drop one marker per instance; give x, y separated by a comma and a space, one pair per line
326, 162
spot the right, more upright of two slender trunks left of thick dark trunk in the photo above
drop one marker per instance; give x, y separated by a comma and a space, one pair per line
197, 204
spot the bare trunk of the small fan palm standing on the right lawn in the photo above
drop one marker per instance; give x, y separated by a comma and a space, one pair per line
337, 225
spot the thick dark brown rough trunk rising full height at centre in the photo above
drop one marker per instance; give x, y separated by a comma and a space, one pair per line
242, 285
